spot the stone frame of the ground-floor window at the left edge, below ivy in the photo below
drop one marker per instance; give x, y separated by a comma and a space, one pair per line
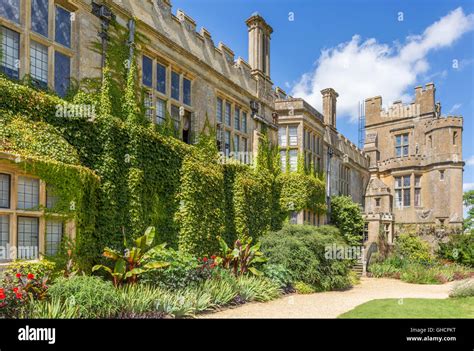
13, 213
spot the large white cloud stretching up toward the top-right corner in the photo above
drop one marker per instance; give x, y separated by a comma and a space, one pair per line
360, 69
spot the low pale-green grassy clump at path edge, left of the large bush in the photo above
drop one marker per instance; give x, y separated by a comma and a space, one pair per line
251, 288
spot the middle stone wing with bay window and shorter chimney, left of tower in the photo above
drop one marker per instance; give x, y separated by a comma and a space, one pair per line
305, 131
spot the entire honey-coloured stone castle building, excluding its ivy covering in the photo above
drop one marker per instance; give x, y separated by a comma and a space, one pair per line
409, 173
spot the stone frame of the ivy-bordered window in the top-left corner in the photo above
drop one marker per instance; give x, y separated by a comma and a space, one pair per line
27, 35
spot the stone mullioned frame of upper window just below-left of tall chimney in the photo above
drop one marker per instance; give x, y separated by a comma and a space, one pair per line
222, 127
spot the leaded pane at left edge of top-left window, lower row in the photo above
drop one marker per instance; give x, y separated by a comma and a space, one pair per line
9, 63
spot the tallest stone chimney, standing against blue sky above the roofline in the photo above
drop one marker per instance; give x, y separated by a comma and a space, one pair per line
259, 44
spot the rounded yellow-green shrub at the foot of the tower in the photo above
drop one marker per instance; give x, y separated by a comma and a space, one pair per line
413, 248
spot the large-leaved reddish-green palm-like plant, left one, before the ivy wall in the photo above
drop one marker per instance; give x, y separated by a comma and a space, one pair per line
135, 260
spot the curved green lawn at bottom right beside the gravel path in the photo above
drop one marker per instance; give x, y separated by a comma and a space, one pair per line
414, 308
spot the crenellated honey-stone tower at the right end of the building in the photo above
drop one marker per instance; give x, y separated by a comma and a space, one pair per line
416, 167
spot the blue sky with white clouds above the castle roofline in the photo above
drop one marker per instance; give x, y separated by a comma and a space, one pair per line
361, 48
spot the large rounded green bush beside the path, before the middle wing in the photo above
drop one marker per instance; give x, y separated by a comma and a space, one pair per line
301, 250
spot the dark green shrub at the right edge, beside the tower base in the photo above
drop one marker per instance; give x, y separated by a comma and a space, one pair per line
459, 248
